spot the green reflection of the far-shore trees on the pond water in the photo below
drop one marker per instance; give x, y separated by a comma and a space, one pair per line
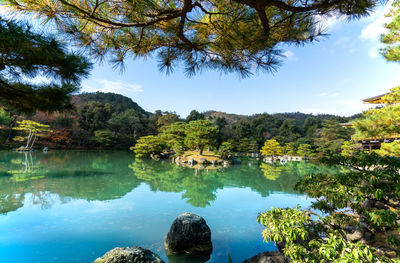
109, 175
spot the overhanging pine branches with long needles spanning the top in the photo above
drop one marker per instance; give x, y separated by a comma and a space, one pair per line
236, 35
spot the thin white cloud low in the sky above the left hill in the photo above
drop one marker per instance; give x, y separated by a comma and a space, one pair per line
113, 86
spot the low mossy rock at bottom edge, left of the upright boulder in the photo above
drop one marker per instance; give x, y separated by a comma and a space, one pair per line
129, 255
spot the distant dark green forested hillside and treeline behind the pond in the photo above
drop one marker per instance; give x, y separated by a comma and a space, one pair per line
108, 120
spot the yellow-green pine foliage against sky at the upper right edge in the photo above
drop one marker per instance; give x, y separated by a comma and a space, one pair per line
392, 38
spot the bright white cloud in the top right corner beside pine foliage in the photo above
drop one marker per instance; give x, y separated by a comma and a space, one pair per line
373, 30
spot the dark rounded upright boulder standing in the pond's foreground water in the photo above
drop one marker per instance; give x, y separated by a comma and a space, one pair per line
189, 234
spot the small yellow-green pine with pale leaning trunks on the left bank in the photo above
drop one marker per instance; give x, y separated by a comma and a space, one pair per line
32, 130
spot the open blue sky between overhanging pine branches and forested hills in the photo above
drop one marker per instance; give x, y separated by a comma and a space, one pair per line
329, 76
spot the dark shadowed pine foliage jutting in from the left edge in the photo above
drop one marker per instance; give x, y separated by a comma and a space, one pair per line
25, 54
